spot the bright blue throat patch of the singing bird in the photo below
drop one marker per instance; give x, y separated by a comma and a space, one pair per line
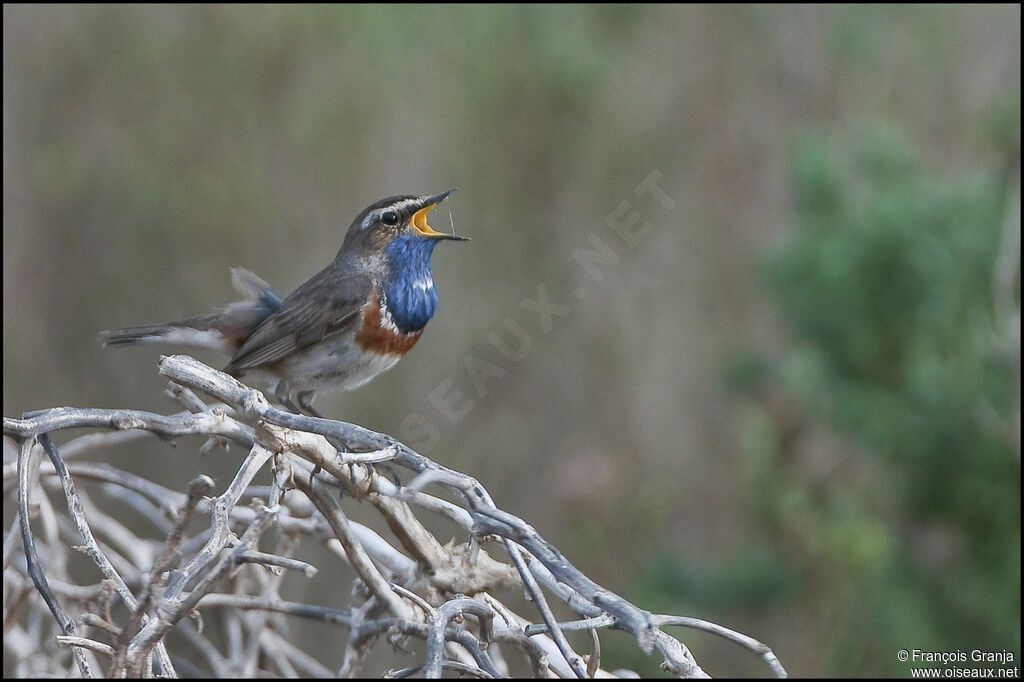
409, 286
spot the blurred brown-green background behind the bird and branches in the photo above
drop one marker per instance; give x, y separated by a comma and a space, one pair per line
738, 329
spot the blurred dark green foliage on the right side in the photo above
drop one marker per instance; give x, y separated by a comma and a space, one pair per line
887, 286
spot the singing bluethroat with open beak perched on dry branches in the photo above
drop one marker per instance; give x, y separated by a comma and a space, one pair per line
352, 321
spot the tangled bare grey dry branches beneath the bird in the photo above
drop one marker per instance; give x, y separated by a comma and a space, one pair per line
409, 588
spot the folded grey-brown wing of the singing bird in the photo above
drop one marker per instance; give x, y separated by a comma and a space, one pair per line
324, 306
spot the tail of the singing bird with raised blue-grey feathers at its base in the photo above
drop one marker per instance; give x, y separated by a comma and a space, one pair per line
223, 331
